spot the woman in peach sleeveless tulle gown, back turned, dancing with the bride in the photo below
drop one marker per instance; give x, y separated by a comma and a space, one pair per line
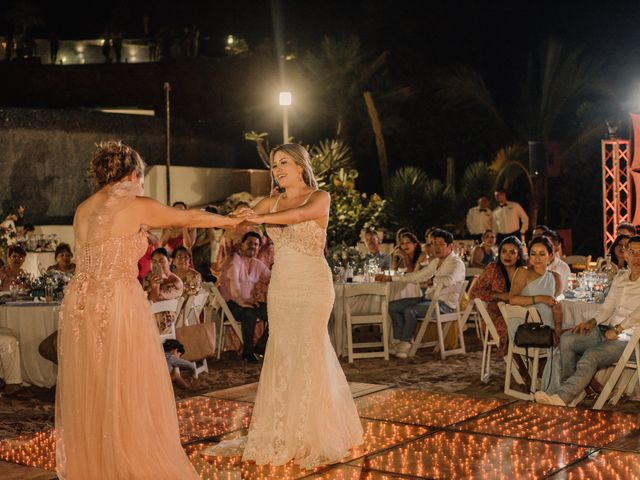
115, 408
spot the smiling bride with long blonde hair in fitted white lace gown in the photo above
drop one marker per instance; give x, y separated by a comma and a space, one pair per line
304, 409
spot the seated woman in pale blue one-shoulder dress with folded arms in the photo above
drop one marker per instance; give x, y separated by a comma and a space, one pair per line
536, 285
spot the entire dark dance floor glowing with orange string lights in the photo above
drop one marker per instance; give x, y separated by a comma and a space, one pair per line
408, 434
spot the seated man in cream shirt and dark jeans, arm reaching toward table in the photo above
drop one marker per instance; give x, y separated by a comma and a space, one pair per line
447, 270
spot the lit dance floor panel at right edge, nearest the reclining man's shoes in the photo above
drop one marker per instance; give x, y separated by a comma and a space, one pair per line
577, 426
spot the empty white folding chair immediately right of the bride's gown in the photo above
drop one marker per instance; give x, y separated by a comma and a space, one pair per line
381, 293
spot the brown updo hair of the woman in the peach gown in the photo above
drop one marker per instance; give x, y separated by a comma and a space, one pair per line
112, 161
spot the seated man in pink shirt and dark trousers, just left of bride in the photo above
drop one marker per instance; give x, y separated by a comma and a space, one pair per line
240, 275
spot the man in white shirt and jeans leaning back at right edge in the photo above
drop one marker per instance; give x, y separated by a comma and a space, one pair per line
599, 342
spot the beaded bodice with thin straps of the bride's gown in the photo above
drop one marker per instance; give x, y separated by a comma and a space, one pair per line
306, 237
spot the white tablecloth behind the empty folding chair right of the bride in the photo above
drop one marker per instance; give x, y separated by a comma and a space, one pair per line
337, 323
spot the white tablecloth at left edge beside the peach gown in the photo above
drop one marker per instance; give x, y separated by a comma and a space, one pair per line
31, 324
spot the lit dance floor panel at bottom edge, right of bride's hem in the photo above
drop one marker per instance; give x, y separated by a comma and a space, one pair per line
461, 455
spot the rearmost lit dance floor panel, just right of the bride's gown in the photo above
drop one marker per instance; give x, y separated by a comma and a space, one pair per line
423, 408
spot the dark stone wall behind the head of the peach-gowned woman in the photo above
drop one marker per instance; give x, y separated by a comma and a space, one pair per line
44, 154
